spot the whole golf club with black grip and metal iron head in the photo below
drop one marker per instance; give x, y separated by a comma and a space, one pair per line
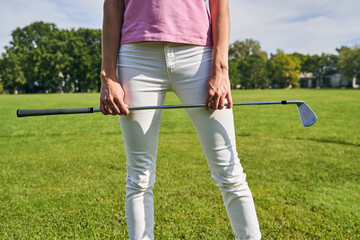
307, 116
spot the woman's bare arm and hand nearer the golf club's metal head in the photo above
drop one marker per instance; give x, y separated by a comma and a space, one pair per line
218, 88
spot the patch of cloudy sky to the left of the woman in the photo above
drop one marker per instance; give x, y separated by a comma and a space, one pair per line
65, 14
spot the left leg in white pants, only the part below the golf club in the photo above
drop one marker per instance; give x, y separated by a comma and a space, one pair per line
140, 132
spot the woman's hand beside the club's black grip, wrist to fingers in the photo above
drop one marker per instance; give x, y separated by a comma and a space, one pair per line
112, 97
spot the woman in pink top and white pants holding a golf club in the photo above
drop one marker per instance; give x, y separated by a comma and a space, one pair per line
163, 45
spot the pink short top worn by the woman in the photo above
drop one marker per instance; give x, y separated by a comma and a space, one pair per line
180, 21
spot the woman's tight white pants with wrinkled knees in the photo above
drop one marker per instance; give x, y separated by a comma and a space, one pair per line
146, 71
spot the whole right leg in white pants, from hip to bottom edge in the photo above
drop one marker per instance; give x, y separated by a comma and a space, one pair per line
217, 136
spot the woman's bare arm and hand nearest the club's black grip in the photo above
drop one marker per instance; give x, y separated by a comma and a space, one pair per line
112, 94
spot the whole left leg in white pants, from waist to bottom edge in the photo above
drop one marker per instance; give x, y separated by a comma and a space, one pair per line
143, 86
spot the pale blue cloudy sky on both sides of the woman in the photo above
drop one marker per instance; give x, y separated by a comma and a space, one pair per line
304, 26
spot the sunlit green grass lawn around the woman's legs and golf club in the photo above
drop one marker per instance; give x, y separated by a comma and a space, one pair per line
64, 176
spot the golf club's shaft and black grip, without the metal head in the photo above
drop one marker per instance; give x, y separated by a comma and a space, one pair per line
42, 112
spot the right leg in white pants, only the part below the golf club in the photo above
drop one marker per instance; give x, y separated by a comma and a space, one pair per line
216, 134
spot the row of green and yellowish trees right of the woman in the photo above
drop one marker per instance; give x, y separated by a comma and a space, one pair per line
251, 68
